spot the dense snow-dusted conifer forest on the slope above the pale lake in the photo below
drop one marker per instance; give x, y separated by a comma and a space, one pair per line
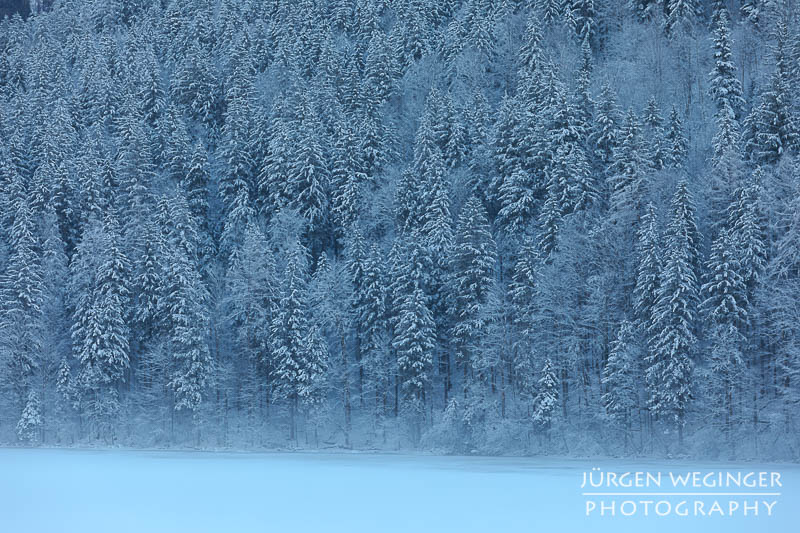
490, 226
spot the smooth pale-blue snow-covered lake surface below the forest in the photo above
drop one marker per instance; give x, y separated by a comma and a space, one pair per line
65, 491
